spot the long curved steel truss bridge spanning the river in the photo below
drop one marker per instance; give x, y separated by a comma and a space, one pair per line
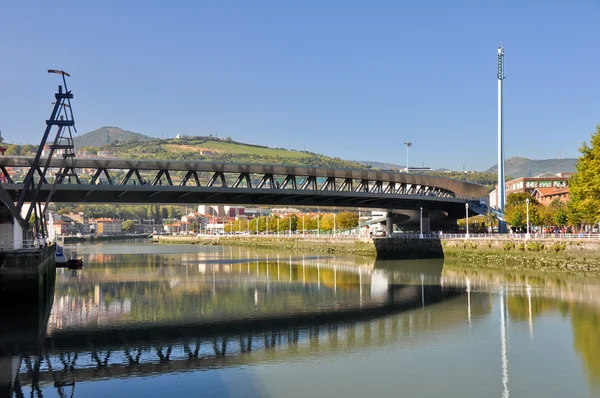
144, 181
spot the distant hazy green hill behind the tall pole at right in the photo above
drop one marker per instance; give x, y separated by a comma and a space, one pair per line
523, 167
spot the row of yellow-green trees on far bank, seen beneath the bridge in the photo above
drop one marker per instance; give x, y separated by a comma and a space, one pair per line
309, 222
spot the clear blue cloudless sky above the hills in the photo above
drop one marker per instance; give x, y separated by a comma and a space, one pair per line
345, 78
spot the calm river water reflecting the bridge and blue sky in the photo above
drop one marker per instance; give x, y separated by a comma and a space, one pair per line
179, 320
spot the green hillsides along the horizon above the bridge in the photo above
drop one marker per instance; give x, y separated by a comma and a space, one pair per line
129, 145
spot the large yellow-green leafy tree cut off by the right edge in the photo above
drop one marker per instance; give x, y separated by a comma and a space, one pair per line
584, 186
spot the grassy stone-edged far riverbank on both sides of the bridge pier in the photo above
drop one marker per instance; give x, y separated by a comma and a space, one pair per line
538, 255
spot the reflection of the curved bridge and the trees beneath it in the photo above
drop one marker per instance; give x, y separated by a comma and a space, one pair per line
275, 310
